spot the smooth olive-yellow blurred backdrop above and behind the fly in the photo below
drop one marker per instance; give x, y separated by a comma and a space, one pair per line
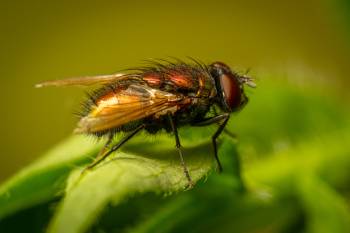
300, 41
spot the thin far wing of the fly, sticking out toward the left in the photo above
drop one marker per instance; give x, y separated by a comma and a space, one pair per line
84, 81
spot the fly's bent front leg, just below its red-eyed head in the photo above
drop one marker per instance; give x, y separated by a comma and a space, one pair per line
222, 121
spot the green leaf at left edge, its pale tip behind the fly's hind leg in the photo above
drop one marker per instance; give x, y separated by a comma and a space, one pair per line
45, 178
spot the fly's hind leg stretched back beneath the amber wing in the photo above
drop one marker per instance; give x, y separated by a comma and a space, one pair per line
104, 154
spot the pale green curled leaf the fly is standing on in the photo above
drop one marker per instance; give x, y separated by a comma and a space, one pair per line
158, 170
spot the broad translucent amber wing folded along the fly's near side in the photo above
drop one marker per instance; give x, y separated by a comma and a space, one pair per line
129, 104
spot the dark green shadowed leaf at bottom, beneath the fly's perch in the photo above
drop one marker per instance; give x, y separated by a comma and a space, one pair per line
218, 206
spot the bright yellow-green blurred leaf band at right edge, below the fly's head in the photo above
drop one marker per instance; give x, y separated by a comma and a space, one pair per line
324, 156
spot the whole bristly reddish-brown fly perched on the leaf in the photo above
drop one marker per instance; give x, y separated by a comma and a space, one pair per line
163, 95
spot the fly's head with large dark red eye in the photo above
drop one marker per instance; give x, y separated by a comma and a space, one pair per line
230, 87
